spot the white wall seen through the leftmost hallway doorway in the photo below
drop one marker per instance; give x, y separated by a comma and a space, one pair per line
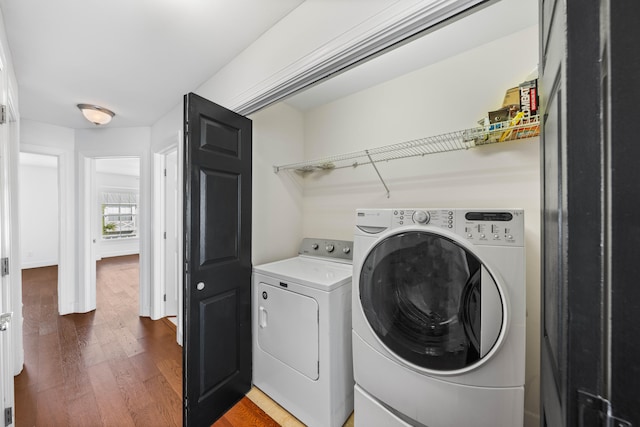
38, 195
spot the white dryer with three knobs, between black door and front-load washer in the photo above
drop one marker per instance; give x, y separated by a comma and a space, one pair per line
301, 328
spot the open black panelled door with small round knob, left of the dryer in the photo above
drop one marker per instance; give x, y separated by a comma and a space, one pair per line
217, 248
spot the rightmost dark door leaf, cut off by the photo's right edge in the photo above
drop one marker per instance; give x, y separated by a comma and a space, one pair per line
621, 54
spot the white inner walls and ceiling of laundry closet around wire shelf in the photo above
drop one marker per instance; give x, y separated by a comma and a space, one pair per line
433, 85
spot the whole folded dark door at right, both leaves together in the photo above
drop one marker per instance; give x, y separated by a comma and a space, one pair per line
589, 352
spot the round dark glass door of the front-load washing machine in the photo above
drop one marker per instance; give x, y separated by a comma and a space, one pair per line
430, 301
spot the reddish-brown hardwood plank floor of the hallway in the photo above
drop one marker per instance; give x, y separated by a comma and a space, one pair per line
108, 367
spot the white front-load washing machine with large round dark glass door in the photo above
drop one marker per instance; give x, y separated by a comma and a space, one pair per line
439, 317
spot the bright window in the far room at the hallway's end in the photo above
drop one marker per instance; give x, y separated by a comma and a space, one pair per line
119, 215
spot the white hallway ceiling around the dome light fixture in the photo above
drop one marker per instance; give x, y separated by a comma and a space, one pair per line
135, 57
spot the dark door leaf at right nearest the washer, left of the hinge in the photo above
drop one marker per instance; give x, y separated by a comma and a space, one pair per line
572, 315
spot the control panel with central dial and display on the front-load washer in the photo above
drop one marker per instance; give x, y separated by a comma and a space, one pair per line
481, 227
